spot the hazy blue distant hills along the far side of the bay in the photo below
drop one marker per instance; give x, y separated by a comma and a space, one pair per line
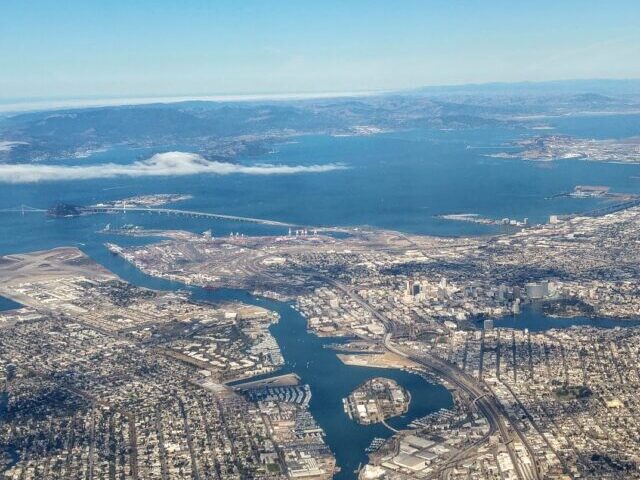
227, 129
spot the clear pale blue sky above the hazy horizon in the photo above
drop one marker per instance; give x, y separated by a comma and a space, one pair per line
103, 48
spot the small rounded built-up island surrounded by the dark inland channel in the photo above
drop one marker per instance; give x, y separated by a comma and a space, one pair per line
376, 400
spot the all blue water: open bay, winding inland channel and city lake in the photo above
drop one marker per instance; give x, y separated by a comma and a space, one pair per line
398, 181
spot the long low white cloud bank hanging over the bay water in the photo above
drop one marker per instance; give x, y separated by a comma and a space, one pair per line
161, 164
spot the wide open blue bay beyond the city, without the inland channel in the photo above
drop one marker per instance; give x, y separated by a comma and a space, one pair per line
398, 180
